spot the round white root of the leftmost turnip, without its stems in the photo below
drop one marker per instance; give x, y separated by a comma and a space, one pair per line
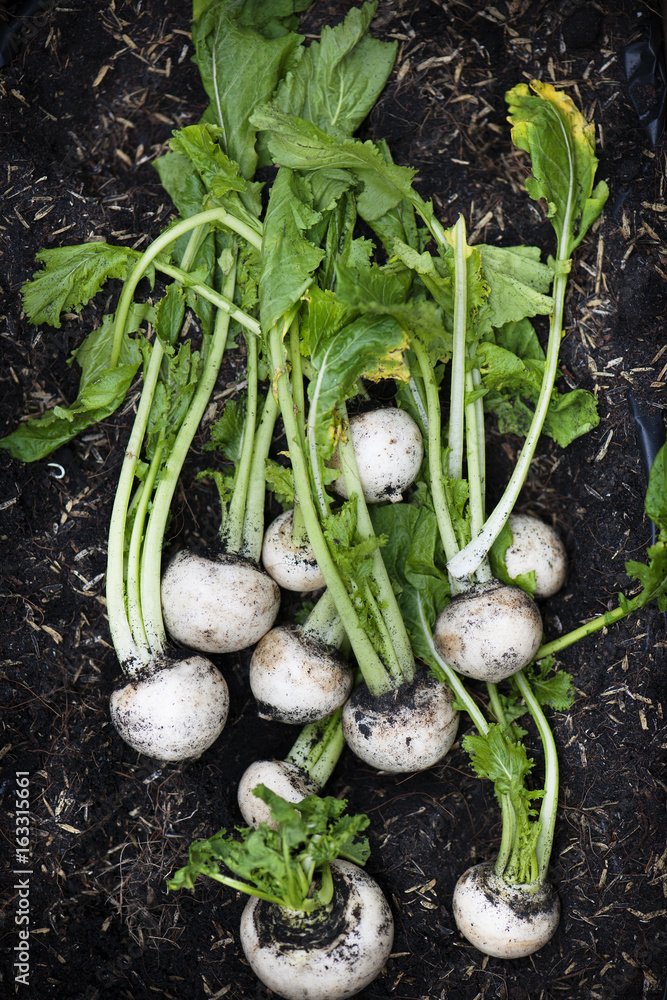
175, 711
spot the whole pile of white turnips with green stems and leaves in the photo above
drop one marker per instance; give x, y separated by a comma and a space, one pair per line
421, 605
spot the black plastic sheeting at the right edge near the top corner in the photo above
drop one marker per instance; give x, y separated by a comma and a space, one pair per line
644, 65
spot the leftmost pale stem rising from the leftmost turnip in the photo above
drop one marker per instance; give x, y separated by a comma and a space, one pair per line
132, 651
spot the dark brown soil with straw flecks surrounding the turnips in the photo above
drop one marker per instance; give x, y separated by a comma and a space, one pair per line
90, 98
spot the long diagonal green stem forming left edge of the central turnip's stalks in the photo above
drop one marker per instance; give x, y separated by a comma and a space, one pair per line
375, 675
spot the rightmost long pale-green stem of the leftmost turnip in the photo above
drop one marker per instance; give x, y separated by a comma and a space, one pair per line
152, 549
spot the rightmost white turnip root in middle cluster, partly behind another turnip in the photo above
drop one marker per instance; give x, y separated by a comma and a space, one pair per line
537, 546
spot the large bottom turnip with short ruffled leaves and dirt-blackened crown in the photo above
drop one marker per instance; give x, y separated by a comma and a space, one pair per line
318, 927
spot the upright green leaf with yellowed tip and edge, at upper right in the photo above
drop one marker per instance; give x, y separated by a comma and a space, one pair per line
561, 144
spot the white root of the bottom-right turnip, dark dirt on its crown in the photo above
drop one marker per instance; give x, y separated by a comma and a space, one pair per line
506, 921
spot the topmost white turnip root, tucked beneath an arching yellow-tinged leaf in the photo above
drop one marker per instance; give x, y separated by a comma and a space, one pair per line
389, 450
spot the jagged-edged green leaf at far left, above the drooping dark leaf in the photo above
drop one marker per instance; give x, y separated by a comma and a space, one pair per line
72, 276
